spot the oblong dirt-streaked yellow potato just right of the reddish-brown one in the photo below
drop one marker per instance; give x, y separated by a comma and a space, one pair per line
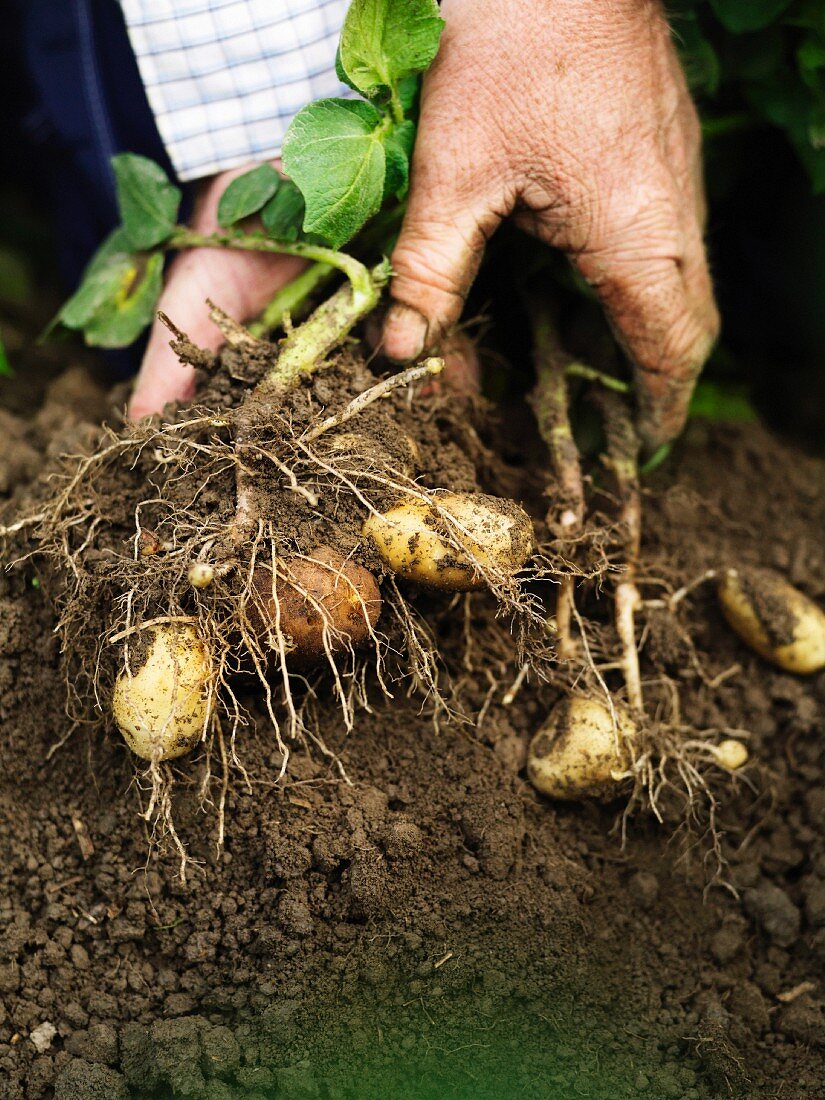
415, 542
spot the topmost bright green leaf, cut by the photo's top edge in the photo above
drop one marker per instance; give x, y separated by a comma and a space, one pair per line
384, 41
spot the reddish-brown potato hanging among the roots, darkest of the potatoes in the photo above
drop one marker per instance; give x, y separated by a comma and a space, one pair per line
327, 596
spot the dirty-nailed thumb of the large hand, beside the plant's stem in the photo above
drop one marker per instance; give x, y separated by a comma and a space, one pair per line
438, 254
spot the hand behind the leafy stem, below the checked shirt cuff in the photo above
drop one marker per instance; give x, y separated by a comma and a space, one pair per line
241, 284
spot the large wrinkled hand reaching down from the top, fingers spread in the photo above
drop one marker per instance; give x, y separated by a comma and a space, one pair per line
576, 119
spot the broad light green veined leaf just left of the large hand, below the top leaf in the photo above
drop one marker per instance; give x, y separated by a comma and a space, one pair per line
335, 152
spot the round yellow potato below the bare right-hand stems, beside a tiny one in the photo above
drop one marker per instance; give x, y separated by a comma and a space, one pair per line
579, 753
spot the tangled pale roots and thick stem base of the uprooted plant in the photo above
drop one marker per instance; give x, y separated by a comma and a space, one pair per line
119, 562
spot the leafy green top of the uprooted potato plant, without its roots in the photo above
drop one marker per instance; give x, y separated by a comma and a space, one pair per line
346, 160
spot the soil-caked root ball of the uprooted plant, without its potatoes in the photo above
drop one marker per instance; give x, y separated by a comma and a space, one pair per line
241, 488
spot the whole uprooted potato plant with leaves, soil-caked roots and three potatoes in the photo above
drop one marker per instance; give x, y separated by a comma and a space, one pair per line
257, 535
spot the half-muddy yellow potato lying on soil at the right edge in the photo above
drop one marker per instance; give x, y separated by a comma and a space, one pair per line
776, 620
